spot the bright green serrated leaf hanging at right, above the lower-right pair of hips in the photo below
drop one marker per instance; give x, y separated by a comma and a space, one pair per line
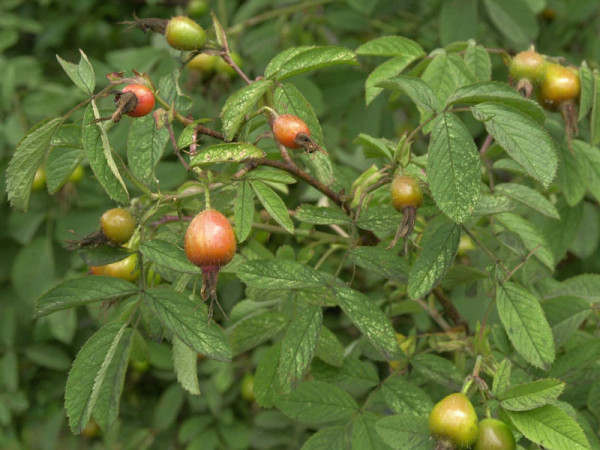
525, 324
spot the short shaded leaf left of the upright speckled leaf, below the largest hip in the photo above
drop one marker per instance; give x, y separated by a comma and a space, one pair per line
253, 331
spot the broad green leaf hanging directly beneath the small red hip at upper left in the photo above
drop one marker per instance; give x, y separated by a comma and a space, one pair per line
145, 147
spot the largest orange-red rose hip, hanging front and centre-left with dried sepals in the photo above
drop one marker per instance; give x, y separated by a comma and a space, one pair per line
210, 240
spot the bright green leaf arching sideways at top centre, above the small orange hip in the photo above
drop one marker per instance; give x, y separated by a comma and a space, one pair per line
305, 59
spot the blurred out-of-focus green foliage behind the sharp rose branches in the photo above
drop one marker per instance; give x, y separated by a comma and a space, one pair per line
36, 356
